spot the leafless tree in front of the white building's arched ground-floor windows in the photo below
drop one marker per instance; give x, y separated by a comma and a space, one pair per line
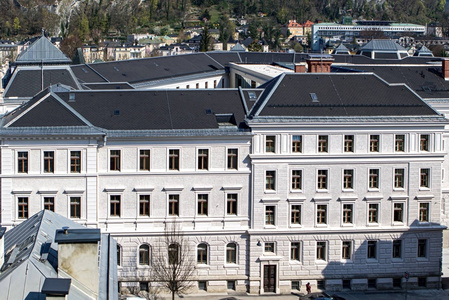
173, 265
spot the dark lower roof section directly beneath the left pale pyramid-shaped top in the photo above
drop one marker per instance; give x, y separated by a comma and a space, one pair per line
26, 83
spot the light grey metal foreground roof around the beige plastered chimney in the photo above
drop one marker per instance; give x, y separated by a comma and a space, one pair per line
31, 256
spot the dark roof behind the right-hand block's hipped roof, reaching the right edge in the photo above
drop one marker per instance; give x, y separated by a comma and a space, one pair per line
426, 81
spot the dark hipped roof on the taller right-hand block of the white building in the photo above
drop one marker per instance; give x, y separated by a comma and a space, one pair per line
338, 95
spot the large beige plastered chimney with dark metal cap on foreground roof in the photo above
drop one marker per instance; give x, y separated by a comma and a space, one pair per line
78, 256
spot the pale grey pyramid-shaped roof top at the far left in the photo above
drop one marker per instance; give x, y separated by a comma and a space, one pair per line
42, 51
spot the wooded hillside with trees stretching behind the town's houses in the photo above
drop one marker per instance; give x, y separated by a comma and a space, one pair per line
92, 20
